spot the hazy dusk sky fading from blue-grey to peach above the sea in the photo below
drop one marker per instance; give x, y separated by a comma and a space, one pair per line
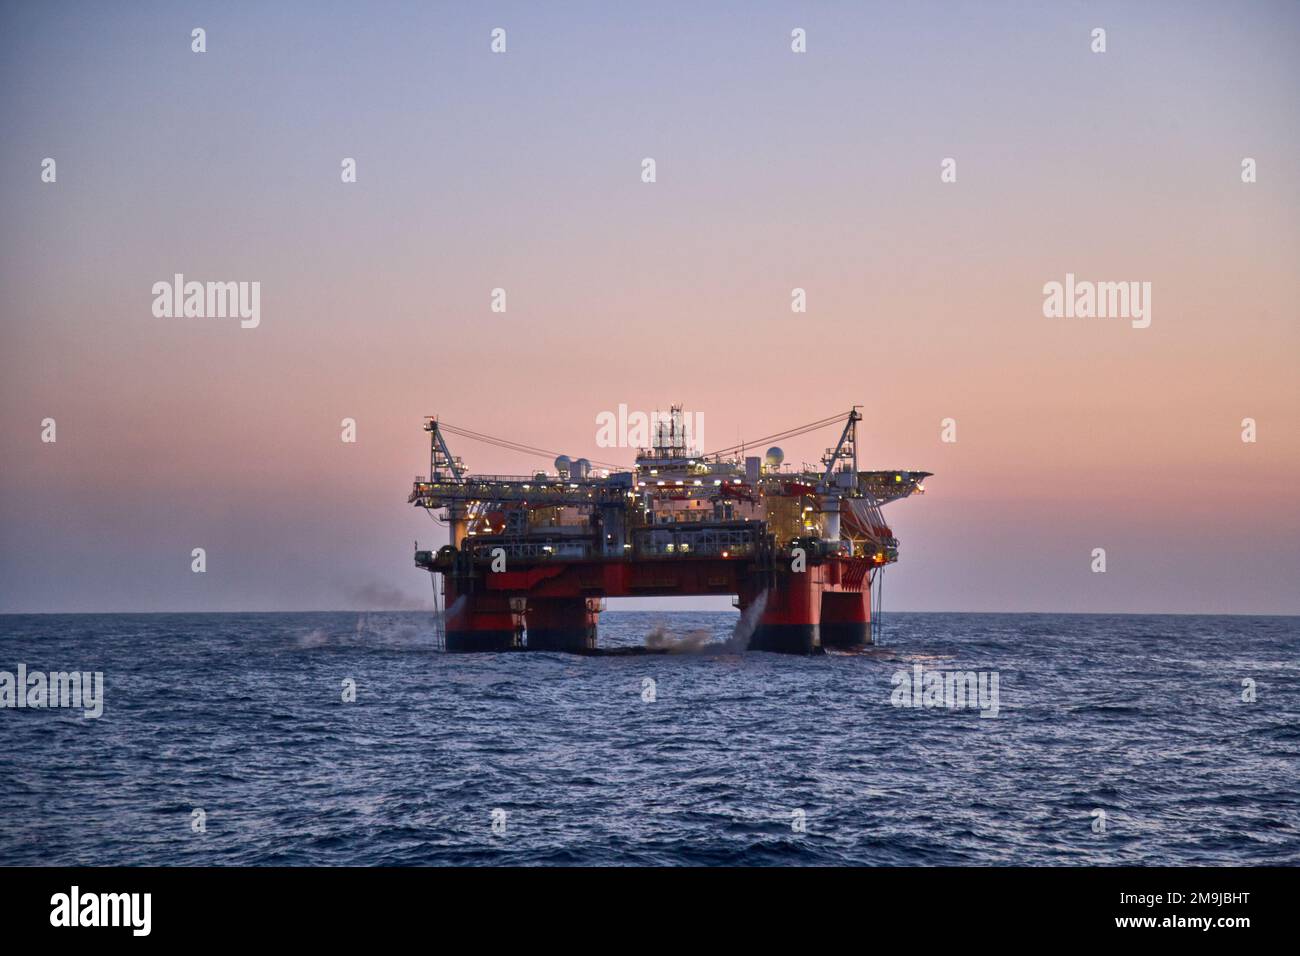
774, 171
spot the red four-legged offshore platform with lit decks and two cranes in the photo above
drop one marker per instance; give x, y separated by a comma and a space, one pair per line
532, 559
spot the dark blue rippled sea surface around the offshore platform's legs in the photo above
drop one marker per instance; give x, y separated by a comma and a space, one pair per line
241, 715
